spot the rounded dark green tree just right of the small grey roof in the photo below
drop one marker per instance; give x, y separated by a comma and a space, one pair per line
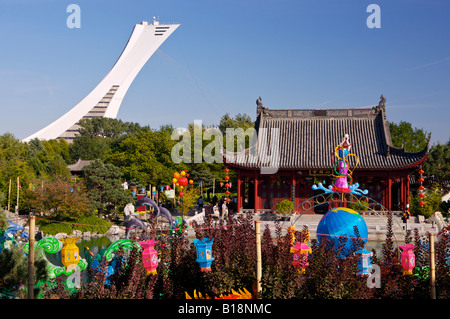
104, 187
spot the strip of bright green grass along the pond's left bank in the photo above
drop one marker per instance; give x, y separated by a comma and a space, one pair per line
68, 226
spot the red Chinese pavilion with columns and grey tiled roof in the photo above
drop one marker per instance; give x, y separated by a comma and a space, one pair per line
307, 137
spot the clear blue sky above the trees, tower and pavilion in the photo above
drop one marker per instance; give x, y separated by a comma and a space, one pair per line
292, 53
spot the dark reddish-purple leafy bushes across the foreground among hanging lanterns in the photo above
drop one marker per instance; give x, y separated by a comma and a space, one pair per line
234, 267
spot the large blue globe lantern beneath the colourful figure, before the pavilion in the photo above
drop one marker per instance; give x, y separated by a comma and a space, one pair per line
340, 222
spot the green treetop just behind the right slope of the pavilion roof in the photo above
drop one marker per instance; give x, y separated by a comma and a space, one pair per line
404, 135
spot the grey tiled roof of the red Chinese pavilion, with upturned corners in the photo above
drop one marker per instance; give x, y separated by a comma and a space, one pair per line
309, 136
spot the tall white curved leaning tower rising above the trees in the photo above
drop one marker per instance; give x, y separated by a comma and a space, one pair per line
106, 97
